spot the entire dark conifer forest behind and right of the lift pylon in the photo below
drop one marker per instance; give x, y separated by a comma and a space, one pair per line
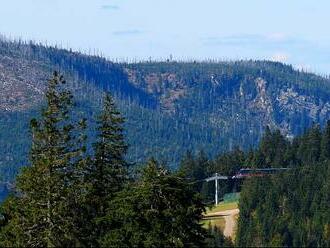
290, 209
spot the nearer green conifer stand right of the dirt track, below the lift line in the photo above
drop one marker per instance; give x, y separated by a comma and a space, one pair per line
287, 210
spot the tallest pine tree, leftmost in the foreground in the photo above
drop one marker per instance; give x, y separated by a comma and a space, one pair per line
41, 214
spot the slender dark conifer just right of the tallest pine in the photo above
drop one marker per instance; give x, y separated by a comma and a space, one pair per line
108, 171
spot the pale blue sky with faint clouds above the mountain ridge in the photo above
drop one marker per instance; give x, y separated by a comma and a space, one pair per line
291, 31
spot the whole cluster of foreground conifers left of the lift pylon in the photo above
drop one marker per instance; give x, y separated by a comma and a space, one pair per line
66, 198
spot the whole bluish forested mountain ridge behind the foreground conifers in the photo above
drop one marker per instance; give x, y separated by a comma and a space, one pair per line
169, 106
